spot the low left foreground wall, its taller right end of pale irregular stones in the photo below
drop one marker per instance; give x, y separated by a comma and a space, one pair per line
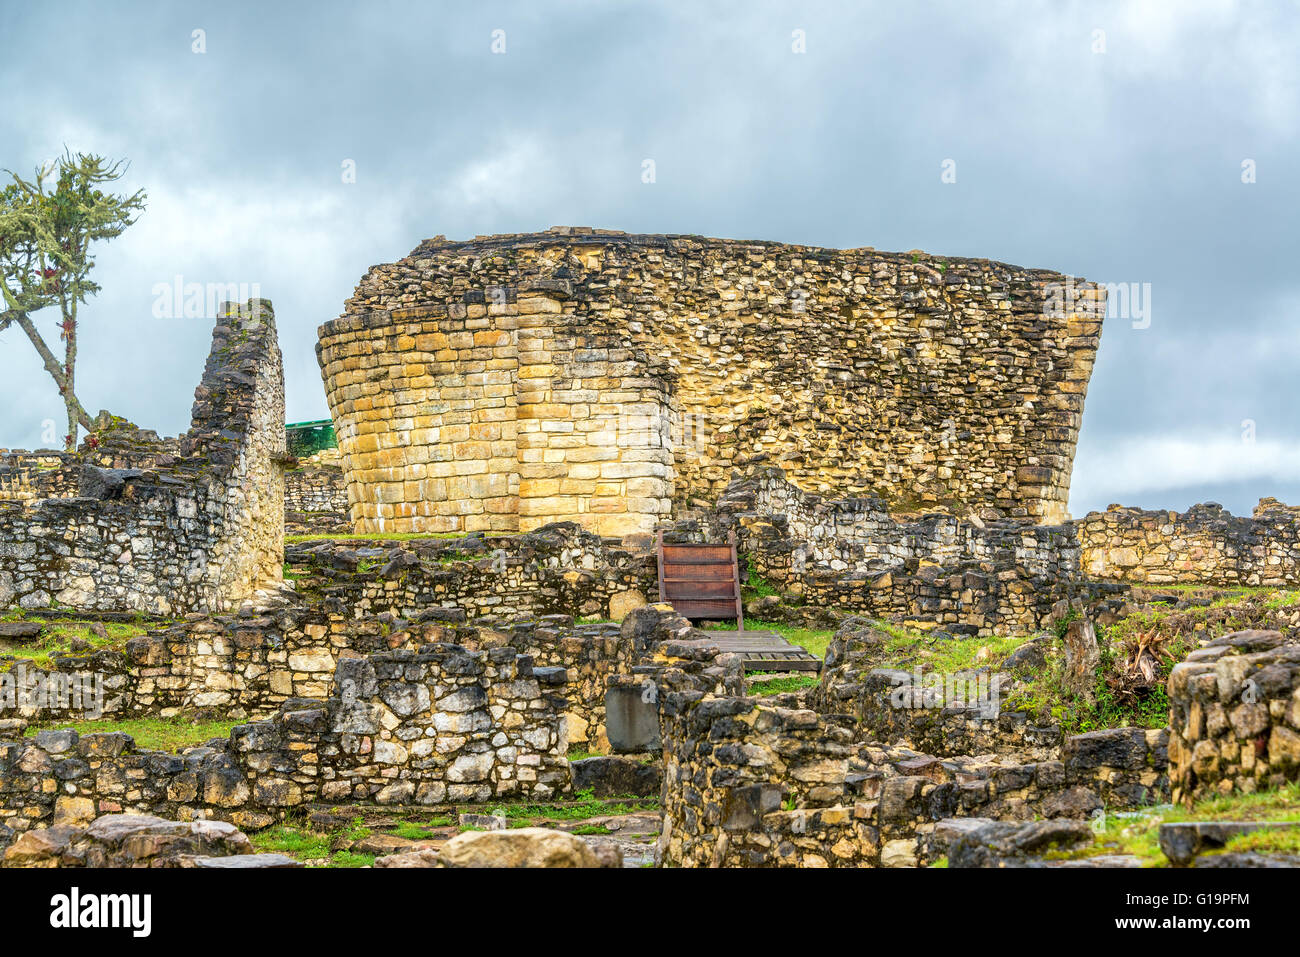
441, 725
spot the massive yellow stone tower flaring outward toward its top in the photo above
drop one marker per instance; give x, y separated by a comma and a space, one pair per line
510, 382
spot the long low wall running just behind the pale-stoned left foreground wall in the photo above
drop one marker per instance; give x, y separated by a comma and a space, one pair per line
248, 666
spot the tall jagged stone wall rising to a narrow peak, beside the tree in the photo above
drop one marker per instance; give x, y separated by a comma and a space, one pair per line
194, 531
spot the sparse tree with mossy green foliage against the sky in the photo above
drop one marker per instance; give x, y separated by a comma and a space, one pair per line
46, 233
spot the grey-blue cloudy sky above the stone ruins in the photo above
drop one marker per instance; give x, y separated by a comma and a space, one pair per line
1103, 140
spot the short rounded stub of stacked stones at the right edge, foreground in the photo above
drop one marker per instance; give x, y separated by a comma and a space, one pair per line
1236, 717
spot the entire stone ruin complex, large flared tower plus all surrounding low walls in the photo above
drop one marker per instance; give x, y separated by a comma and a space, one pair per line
538, 395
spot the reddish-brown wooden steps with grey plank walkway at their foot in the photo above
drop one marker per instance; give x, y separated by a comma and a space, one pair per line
703, 582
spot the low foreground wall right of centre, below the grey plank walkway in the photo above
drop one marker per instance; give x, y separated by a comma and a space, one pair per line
753, 786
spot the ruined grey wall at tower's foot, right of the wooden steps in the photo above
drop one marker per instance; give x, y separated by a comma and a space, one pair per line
968, 575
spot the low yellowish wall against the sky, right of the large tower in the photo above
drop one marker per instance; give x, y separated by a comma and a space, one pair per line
1203, 545
